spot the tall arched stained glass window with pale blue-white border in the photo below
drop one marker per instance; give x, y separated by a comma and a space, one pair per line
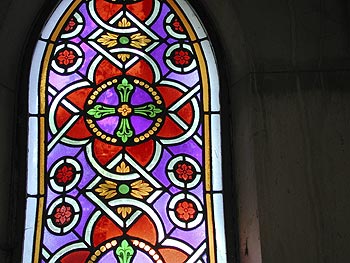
124, 155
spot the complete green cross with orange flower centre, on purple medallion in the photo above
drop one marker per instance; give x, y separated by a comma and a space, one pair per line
124, 130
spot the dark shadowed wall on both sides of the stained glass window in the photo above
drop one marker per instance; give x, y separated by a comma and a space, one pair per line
285, 68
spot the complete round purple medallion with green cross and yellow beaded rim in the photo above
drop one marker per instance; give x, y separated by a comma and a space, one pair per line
124, 111
